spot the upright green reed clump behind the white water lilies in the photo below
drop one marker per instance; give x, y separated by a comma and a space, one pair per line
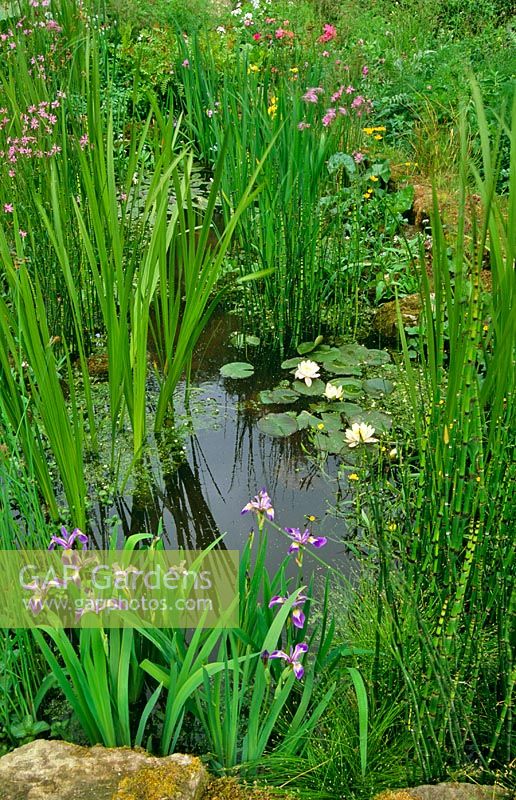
283, 239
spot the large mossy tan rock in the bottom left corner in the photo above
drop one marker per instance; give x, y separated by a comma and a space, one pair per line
55, 770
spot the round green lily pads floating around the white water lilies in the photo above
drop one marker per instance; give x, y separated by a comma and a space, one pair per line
342, 367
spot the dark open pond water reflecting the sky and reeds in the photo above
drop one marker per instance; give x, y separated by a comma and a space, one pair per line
227, 461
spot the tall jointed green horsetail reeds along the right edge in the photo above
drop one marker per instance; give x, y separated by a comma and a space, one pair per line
448, 576
